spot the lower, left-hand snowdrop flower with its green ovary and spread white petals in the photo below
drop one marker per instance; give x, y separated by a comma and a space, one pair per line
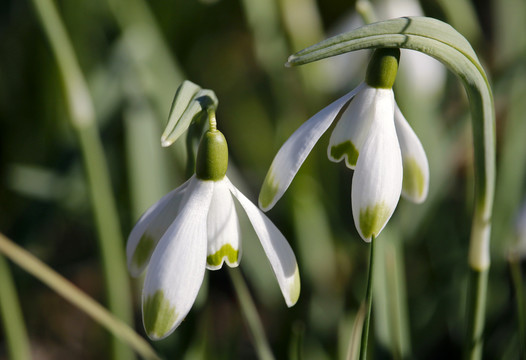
193, 228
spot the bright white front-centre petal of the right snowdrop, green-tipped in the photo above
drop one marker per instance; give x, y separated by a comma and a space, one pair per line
377, 180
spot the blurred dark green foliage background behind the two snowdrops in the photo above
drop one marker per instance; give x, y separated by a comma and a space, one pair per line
135, 53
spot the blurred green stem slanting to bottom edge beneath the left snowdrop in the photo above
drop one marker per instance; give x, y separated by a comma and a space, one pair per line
251, 315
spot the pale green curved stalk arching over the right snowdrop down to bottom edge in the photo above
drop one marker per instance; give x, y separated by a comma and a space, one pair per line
440, 41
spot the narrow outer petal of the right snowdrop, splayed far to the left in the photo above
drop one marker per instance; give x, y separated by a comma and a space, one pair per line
295, 150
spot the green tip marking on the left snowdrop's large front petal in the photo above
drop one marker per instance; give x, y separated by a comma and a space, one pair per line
158, 314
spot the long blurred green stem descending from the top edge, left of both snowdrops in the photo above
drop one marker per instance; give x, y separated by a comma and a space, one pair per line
82, 116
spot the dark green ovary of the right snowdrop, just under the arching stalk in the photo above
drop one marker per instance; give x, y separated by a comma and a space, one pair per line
382, 69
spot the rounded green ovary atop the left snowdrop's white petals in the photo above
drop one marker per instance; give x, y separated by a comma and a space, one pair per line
212, 156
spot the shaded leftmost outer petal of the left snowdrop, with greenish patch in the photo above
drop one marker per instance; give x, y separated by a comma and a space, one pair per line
150, 228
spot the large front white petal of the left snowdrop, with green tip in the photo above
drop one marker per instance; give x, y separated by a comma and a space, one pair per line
178, 265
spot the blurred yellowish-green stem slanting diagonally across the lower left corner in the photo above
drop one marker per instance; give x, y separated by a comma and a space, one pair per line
68, 291
